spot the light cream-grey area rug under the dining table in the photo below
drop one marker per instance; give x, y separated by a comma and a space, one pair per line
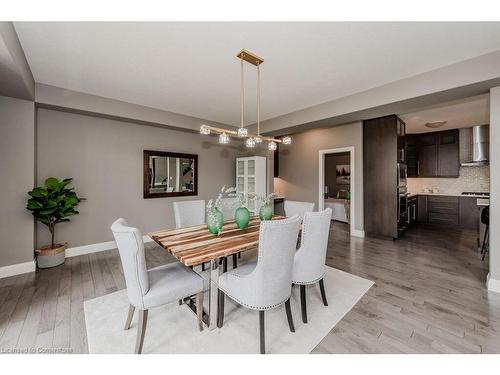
173, 328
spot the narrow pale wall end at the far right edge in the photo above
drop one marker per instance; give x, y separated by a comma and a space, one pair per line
495, 184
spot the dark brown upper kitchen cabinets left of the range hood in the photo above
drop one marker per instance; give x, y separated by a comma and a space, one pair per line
433, 154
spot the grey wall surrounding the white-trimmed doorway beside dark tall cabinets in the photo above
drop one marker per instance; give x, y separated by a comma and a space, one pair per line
299, 172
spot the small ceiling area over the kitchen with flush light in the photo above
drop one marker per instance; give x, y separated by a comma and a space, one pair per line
462, 113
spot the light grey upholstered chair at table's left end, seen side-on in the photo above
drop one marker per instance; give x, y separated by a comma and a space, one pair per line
155, 287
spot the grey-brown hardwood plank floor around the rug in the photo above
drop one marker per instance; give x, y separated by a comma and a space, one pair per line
429, 297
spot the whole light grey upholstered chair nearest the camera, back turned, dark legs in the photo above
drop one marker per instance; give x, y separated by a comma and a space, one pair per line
266, 283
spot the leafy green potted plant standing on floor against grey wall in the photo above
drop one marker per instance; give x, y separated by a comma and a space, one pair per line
51, 204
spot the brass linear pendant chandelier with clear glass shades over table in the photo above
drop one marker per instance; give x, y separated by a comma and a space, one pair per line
242, 132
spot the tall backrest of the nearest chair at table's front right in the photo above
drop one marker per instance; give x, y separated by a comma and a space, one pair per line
272, 276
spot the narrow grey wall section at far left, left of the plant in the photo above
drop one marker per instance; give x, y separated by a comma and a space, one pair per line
17, 173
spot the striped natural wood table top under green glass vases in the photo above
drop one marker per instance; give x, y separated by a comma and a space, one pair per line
195, 245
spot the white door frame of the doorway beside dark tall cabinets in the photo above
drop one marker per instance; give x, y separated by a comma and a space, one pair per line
321, 183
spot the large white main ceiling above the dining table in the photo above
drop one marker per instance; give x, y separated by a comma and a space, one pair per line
191, 68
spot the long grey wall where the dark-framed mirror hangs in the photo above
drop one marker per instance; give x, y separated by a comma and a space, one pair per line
105, 159
